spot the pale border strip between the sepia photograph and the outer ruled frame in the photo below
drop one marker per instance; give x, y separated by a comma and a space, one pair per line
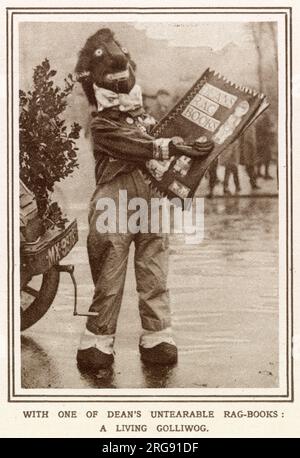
108, 394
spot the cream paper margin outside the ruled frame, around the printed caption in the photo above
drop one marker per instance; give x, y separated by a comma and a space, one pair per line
12, 422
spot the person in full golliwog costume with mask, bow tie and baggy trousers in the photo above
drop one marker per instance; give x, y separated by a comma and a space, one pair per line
121, 142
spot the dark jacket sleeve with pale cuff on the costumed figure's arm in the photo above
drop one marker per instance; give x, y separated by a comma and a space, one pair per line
127, 143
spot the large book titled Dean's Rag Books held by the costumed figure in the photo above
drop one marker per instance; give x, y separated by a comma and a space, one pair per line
214, 109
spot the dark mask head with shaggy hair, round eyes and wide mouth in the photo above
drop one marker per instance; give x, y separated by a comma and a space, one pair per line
104, 62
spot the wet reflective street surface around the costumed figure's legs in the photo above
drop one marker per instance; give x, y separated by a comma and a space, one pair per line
225, 311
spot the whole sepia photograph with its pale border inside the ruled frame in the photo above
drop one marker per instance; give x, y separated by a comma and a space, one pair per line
151, 195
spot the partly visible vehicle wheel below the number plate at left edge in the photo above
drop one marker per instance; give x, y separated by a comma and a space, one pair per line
37, 296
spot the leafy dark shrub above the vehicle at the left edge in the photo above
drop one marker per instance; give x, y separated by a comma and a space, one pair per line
48, 151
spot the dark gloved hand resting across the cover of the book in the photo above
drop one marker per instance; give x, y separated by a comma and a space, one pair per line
201, 147
